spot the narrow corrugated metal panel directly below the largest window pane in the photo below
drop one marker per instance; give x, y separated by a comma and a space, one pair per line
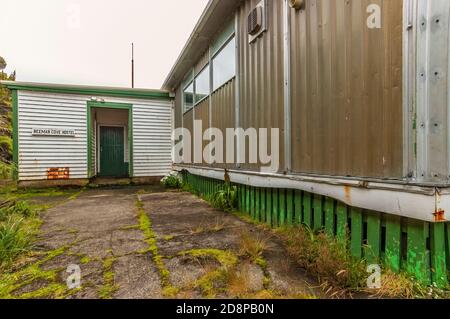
223, 112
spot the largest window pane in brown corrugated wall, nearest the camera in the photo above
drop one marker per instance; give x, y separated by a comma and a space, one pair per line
224, 64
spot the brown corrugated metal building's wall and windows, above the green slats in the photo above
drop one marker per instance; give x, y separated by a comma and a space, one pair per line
341, 90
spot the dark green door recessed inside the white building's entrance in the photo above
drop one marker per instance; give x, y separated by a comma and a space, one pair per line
112, 152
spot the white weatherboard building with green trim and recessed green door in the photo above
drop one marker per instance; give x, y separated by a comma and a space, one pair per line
70, 134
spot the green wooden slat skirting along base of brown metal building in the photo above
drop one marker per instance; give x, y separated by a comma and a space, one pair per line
420, 248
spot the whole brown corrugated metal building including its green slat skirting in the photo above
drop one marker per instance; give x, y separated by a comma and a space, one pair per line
359, 92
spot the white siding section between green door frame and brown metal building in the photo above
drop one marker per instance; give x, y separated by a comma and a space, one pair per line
152, 136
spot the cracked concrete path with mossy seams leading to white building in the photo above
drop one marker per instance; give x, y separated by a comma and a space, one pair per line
148, 243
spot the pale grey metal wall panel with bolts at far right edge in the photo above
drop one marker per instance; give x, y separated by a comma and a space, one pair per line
432, 90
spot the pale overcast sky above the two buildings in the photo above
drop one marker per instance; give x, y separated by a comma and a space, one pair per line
88, 42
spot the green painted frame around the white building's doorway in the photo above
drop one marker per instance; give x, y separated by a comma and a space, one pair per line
109, 105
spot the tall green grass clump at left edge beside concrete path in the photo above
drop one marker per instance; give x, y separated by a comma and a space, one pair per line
13, 241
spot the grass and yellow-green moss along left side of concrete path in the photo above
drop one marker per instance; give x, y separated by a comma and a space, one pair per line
20, 224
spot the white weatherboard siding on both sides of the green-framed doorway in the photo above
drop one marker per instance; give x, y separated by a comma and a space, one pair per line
152, 125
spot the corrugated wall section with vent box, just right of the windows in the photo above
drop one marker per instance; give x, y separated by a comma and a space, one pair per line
261, 74
